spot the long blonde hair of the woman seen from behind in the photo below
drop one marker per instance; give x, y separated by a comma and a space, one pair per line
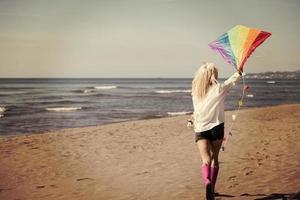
205, 76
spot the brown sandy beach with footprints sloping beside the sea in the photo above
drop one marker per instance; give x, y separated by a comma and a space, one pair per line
155, 159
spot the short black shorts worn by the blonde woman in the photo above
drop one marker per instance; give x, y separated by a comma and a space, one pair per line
216, 133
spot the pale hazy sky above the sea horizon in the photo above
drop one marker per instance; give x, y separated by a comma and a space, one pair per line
139, 38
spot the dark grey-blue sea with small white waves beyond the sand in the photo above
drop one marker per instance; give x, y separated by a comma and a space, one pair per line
41, 105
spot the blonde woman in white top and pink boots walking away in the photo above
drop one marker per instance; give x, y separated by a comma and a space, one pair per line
208, 100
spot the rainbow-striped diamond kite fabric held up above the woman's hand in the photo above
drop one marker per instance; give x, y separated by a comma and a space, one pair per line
238, 43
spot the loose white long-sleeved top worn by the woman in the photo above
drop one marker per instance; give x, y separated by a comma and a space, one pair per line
209, 111
